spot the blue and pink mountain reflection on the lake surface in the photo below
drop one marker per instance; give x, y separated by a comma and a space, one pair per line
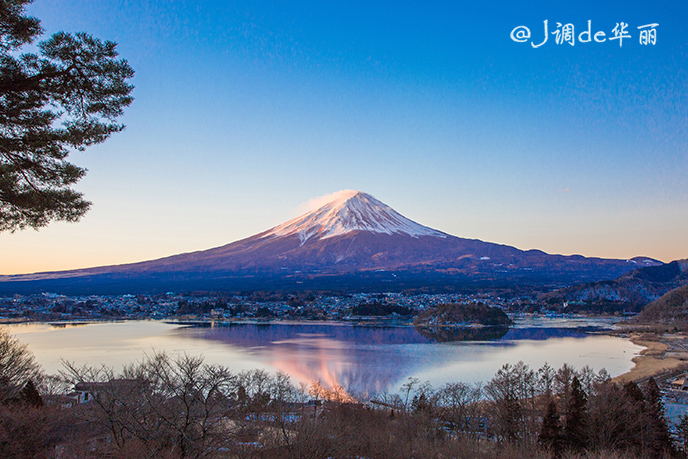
364, 359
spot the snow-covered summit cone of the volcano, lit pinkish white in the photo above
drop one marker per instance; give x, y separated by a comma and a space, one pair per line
347, 211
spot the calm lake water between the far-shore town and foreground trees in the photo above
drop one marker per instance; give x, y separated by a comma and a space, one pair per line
363, 360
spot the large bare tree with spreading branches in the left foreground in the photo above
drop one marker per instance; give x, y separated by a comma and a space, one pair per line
177, 405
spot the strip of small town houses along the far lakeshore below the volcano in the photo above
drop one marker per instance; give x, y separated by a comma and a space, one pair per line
53, 307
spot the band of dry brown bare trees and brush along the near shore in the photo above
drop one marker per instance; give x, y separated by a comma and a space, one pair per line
167, 407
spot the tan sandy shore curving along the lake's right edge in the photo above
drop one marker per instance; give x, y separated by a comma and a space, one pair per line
663, 354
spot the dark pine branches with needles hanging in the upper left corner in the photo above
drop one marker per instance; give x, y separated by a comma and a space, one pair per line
65, 96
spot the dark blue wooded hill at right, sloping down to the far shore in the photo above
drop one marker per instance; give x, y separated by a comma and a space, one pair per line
631, 291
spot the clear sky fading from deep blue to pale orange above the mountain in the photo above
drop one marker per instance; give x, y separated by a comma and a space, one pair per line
246, 110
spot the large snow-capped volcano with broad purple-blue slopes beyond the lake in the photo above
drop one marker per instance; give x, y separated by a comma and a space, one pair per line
352, 238
